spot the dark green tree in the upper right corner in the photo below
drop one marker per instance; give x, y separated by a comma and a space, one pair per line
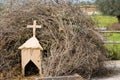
109, 7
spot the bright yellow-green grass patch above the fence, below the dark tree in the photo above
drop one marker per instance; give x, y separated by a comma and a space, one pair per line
103, 21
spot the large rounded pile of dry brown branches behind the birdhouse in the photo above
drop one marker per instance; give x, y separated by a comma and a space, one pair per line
70, 43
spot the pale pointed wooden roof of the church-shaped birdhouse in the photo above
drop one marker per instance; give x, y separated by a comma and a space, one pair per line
31, 43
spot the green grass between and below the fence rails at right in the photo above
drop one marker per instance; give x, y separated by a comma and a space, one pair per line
114, 49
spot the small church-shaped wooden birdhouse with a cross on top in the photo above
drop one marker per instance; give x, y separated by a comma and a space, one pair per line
31, 54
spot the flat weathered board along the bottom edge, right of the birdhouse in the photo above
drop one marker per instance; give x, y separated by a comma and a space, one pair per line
62, 78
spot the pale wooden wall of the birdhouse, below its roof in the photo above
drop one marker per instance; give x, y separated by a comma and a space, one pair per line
31, 54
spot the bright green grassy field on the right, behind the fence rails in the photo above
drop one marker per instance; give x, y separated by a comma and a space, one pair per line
104, 21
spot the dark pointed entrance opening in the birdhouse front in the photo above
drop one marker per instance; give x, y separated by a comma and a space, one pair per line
31, 69
